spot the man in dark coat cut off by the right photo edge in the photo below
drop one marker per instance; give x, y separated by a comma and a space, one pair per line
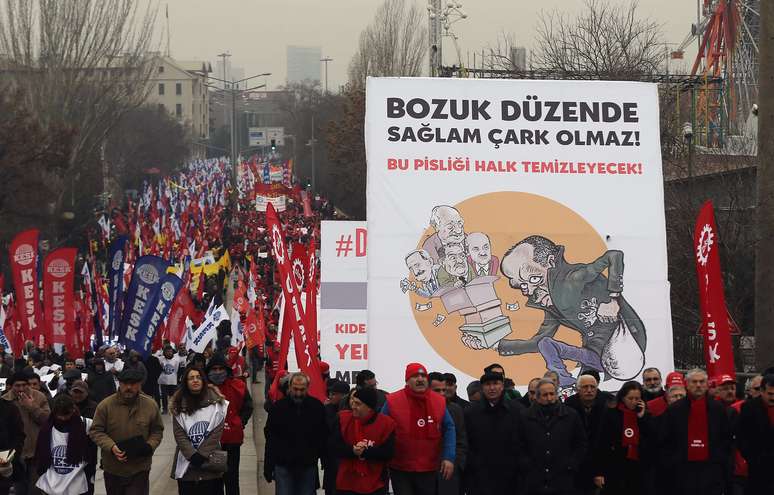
756, 438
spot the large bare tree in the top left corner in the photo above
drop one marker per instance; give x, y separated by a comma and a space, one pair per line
78, 64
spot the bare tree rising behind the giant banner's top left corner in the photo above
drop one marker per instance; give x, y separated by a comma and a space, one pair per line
394, 44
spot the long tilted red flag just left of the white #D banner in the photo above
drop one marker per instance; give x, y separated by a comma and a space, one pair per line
295, 321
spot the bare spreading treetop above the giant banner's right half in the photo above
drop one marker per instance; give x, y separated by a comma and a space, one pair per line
604, 41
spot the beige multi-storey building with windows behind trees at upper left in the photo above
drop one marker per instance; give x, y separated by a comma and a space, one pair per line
179, 88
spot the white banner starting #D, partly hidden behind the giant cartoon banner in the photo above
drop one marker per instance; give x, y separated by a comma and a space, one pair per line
343, 284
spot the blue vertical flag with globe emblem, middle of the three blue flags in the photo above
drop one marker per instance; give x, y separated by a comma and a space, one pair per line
146, 280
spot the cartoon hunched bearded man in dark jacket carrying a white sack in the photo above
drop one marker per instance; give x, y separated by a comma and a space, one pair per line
577, 296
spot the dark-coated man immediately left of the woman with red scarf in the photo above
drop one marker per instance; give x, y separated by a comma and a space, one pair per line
590, 406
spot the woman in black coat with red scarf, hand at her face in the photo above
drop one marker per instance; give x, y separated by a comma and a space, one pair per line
621, 444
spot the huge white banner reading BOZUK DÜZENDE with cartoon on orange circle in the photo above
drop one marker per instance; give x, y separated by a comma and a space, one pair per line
517, 222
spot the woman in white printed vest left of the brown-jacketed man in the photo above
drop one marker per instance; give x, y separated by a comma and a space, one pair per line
66, 457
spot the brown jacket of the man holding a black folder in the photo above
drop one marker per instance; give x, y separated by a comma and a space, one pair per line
117, 420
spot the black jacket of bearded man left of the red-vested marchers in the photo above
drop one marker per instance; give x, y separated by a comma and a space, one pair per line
296, 434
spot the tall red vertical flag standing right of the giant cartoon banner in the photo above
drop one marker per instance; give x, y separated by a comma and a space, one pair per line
712, 300
